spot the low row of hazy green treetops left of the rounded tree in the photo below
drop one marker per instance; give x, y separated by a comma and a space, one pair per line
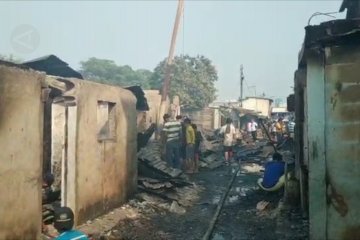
107, 71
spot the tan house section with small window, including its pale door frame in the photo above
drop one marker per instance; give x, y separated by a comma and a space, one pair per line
93, 132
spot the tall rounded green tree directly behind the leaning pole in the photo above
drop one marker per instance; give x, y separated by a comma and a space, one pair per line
192, 79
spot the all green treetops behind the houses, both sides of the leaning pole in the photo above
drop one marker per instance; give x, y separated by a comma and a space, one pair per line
192, 78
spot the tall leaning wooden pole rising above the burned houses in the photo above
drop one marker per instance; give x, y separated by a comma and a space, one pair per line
167, 77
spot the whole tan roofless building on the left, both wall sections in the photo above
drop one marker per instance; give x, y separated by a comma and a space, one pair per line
84, 132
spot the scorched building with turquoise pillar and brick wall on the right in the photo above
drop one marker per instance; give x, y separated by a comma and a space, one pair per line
327, 104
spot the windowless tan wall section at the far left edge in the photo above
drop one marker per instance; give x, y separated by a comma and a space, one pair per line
21, 134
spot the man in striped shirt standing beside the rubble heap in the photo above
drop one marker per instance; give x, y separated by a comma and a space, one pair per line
172, 134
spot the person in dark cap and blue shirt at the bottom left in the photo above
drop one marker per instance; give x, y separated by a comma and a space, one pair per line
64, 222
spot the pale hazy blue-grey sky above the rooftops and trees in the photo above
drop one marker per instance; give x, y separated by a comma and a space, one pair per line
264, 36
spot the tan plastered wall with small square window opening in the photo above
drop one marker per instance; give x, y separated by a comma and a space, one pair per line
105, 153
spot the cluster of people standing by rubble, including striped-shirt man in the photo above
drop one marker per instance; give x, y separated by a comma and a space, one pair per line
182, 141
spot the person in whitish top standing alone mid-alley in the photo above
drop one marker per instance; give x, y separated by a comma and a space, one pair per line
229, 132
